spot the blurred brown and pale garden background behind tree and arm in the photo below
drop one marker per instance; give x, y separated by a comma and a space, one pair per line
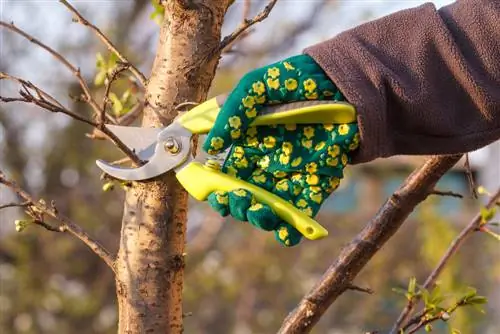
238, 280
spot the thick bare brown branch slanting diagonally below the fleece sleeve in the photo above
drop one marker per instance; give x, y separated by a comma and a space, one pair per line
340, 275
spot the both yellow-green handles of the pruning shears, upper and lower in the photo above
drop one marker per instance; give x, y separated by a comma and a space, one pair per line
200, 180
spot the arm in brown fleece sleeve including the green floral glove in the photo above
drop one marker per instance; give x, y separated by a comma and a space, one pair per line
423, 81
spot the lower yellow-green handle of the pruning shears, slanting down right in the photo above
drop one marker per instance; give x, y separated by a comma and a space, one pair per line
201, 180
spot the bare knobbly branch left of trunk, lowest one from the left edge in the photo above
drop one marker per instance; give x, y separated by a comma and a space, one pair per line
38, 209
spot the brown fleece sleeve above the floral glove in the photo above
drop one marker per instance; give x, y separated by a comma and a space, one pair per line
424, 81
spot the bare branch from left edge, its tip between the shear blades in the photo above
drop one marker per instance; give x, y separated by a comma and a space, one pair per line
47, 102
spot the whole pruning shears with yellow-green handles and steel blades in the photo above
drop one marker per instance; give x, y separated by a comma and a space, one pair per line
170, 148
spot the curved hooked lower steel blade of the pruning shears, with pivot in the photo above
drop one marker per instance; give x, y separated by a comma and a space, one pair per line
160, 161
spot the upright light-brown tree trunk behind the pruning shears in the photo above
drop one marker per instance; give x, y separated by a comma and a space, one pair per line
150, 262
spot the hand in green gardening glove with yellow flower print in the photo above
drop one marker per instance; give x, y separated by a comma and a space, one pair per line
300, 163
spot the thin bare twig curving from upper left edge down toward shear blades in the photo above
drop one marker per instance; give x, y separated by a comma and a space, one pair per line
76, 71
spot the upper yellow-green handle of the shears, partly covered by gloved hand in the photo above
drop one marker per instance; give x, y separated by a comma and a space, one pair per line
201, 118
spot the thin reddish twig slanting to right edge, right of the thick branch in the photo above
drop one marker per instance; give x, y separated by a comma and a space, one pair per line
452, 249
